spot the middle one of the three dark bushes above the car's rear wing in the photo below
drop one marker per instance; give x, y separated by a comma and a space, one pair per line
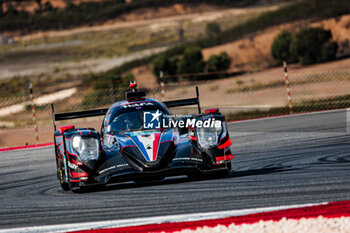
192, 62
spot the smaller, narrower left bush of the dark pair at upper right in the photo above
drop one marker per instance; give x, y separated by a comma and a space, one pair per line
280, 48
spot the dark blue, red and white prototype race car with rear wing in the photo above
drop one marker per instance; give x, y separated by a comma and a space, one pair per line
141, 141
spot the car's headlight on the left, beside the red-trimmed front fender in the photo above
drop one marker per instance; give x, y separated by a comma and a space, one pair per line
88, 148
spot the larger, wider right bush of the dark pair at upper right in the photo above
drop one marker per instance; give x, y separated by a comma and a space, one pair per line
311, 45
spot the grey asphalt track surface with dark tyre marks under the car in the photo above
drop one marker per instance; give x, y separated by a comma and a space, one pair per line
278, 161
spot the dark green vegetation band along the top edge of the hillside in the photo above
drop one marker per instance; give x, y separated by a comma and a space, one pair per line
91, 12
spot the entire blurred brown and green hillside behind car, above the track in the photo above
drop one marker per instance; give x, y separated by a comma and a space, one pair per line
92, 59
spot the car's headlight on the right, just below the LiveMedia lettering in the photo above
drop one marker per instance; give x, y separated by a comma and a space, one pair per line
208, 136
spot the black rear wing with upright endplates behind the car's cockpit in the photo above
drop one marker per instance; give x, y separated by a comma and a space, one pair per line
103, 111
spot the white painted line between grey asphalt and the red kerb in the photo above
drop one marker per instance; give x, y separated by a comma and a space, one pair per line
152, 220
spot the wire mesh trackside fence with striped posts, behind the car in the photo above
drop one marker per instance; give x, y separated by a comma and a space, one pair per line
241, 96
